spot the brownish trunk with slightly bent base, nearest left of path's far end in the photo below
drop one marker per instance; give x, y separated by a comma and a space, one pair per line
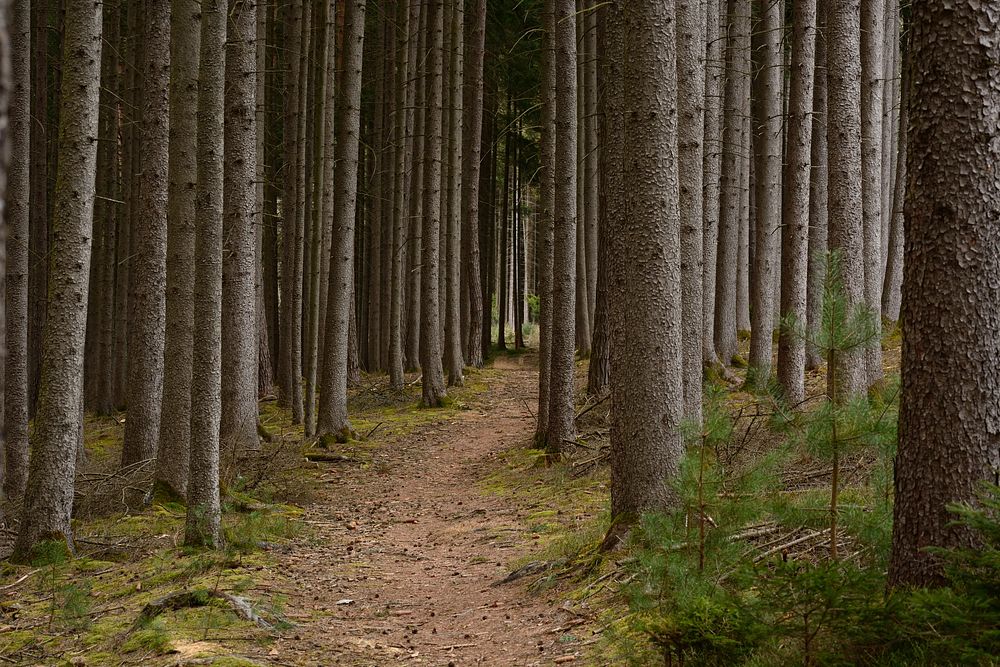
471, 169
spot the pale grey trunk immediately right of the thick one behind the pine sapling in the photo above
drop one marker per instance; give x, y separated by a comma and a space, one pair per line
872, 86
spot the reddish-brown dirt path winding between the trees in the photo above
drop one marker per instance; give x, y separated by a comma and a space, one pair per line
404, 553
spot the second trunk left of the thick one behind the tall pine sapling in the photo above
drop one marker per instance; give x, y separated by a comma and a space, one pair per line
795, 202
